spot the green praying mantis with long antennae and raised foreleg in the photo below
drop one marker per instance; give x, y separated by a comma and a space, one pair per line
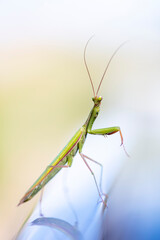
65, 158
